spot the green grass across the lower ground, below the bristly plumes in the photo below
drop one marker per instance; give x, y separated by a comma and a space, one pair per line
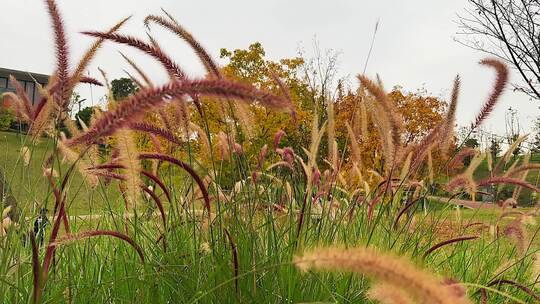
245, 252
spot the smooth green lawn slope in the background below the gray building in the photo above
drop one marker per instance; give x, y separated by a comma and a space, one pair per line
30, 189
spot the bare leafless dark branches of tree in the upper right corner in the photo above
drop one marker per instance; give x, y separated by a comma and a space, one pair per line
508, 29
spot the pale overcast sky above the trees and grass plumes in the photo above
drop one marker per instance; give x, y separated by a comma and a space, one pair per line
414, 46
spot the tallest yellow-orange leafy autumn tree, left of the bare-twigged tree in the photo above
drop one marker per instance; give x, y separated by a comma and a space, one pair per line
252, 67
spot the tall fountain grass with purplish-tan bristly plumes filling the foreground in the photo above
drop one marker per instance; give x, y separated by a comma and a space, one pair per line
148, 203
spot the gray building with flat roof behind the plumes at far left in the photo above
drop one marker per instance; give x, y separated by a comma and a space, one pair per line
28, 81
